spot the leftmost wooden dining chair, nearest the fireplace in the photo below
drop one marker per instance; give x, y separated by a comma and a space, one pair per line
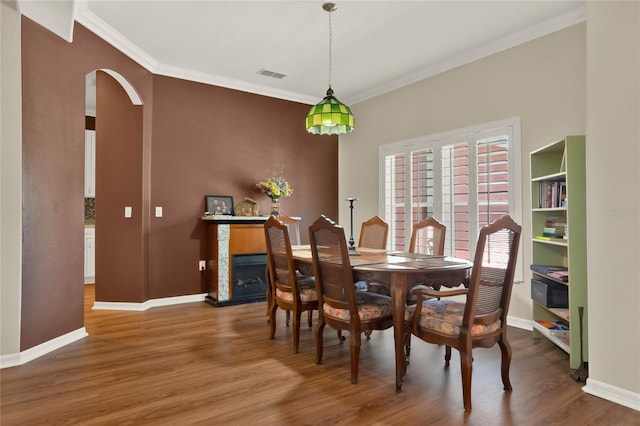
289, 291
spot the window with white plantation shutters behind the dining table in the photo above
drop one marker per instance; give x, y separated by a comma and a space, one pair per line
465, 178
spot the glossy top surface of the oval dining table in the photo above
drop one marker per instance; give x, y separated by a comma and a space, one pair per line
383, 260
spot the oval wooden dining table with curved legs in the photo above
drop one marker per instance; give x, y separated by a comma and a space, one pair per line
399, 272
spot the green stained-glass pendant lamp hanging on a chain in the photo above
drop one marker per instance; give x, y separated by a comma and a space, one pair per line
330, 116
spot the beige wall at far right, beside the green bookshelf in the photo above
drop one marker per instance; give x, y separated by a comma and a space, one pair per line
613, 195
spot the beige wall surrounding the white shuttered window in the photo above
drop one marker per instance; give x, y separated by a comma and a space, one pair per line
541, 81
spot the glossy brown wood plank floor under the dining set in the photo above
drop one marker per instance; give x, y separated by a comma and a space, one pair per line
195, 364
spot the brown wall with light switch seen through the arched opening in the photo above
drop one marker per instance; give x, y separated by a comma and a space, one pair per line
119, 240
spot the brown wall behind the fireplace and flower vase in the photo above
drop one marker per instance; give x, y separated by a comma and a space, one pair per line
214, 141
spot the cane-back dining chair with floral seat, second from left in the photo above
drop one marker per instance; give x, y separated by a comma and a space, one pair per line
340, 305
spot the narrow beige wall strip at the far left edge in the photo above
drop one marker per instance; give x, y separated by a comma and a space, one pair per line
11, 176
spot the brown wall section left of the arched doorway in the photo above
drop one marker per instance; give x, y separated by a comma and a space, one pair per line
52, 188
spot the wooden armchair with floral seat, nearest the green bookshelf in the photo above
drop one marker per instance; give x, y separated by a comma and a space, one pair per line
481, 320
